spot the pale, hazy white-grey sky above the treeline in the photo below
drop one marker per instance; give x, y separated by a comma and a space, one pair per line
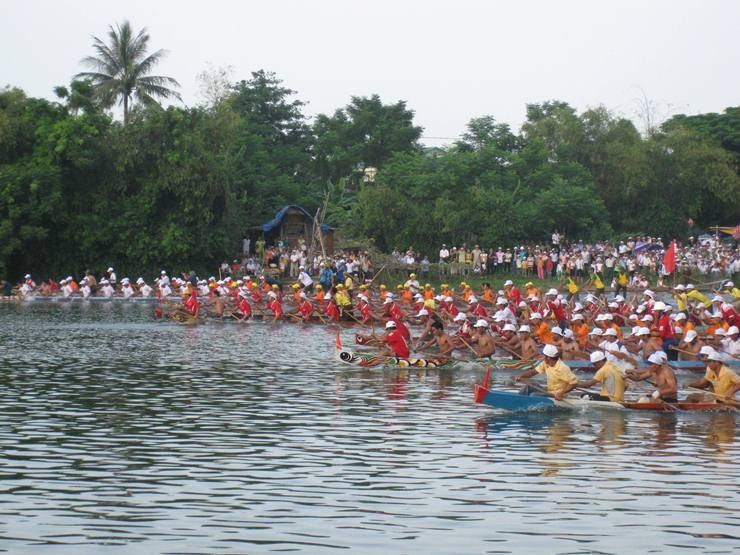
450, 61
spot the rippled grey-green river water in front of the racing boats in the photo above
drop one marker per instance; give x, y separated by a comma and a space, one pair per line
120, 434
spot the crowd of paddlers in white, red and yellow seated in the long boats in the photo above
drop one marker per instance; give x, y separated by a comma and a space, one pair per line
616, 334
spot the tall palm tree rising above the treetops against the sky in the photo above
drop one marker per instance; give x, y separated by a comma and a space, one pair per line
120, 69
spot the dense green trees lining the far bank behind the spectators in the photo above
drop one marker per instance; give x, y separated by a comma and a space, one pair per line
180, 187
